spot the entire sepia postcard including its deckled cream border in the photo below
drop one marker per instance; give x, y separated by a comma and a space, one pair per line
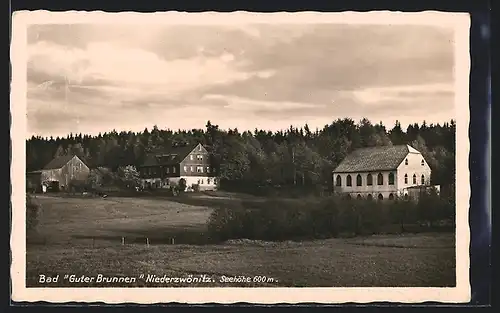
240, 157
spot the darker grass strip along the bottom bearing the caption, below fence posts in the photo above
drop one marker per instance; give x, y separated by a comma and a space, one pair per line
321, 263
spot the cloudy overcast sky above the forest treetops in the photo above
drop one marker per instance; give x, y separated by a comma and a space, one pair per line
95, 78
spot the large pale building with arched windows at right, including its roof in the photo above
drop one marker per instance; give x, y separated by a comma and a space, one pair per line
382, 172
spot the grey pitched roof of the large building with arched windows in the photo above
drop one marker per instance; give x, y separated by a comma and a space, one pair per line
374, 159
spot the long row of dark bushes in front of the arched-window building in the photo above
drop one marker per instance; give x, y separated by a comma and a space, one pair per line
291, 219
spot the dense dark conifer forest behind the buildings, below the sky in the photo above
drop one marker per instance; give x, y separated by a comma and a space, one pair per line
296, 156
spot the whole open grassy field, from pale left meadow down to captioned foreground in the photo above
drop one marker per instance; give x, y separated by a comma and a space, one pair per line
83, 237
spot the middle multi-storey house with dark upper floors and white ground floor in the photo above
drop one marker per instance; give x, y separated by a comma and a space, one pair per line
165, 167
